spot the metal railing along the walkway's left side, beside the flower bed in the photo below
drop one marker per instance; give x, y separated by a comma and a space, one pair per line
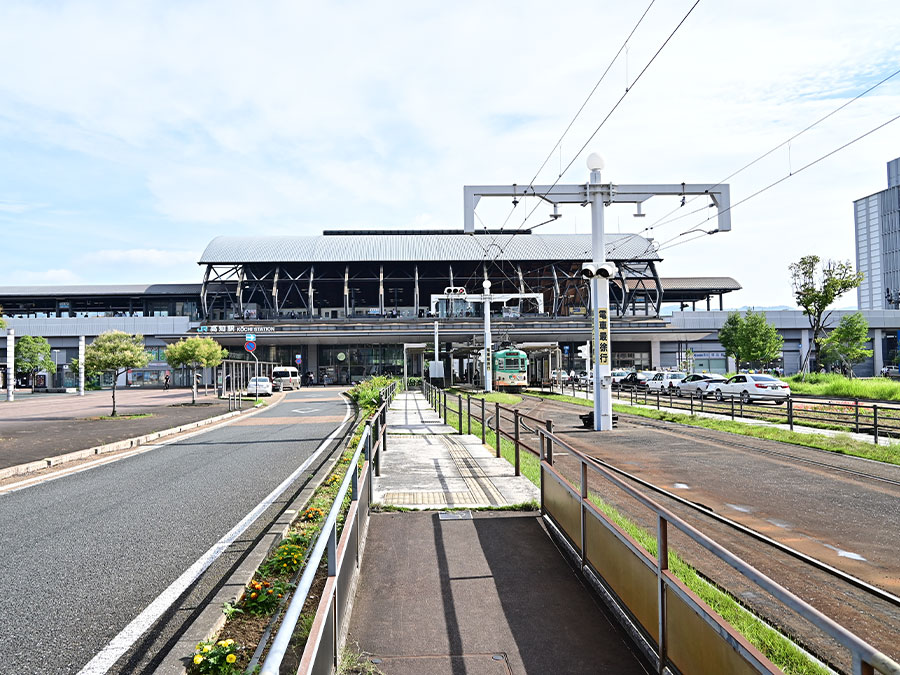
343, 554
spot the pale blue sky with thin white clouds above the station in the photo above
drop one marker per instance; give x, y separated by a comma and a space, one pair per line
132, 133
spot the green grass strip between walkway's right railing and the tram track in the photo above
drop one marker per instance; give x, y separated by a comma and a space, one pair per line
777, 648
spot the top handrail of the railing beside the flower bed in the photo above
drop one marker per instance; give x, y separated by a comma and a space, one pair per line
328, 534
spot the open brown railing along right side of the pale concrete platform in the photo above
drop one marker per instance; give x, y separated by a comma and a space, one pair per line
520, 427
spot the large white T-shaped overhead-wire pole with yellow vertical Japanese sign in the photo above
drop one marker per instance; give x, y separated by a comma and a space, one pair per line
598, 270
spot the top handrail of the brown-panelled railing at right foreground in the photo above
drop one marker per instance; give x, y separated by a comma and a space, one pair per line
863, 653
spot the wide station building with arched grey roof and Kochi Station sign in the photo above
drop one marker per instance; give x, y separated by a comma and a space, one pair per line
346, 302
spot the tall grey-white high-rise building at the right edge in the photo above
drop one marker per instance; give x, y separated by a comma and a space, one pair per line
878, 244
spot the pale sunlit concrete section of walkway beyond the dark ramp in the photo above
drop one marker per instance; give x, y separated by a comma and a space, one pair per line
429, 465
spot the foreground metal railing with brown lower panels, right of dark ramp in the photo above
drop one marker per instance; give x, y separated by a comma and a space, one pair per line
559, 499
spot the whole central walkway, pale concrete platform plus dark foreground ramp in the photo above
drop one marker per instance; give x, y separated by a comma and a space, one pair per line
461, 592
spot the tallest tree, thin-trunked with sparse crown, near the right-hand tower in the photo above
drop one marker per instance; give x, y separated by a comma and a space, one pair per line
815, 289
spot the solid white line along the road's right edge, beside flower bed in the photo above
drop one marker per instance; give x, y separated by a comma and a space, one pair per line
120, 644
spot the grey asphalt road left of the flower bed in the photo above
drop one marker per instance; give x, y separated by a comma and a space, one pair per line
82, 556
